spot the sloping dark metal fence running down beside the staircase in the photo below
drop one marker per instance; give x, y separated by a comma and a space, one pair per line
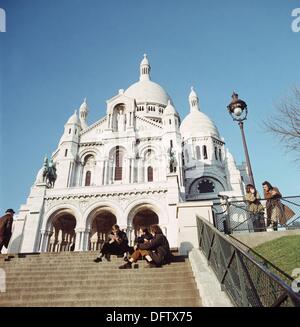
245, 280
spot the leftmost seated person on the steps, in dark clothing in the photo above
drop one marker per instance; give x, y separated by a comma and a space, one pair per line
117, 245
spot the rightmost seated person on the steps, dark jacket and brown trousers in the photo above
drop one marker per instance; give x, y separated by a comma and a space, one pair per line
156, 251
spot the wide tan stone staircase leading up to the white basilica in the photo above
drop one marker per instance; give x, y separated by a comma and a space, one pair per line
73, 279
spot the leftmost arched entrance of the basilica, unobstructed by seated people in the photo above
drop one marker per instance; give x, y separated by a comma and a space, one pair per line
62, 232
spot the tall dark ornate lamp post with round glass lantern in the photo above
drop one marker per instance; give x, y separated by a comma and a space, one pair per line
238, 111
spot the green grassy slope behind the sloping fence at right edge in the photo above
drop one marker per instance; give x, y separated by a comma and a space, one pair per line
284, 252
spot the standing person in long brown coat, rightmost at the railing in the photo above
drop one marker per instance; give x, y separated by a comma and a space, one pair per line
276, 211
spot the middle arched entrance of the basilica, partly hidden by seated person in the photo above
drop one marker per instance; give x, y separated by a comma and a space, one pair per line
101, 223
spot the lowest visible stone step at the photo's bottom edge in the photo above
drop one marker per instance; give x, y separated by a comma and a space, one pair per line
119, 302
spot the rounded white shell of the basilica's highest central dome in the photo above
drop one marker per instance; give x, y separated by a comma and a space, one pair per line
147, 91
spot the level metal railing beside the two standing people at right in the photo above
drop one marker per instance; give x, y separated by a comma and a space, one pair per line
239, 218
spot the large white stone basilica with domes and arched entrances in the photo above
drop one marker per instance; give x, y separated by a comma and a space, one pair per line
132, 167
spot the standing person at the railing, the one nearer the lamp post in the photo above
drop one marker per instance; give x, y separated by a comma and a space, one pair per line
256, 208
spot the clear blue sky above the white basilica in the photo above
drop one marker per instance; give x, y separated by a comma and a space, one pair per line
57, 52
